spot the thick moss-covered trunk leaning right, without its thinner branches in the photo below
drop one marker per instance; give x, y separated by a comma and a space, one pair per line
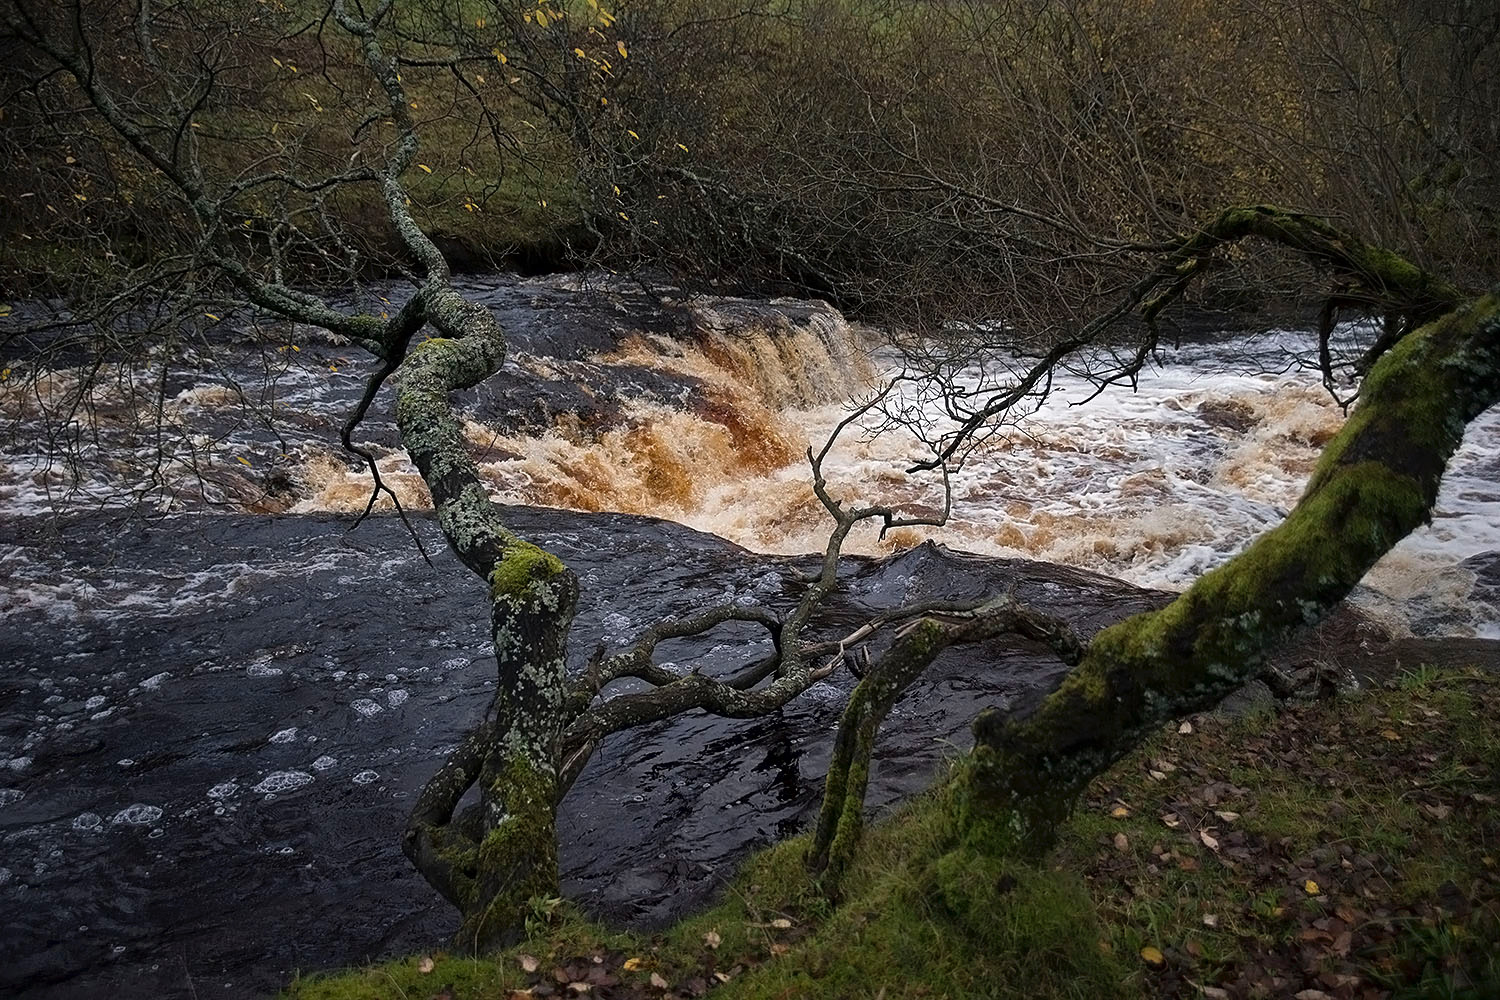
1376, 482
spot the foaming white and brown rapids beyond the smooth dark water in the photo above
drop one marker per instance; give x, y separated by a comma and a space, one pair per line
704, 415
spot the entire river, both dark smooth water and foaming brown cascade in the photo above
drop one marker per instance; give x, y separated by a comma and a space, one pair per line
211, 723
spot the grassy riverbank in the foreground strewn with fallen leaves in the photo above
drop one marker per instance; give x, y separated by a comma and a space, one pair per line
1346, 849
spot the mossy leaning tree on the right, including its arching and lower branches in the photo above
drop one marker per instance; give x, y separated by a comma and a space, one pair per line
1378, 481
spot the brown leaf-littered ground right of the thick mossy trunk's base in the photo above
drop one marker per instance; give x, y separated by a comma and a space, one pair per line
1307, 860
